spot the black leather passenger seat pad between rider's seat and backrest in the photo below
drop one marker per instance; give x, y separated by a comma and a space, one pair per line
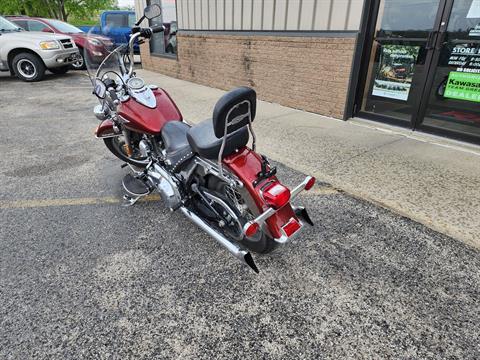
203, 141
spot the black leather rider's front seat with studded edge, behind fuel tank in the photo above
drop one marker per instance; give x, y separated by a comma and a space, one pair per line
174, 135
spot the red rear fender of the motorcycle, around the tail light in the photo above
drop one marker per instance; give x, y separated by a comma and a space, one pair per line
246, 164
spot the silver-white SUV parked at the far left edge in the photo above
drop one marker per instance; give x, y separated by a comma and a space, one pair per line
27, 54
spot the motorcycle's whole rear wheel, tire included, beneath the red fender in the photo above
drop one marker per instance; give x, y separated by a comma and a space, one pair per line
240, 202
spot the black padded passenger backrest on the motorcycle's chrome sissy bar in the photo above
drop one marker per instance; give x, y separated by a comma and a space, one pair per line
236, 109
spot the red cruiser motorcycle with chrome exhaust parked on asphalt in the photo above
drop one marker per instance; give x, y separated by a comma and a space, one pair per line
206, 171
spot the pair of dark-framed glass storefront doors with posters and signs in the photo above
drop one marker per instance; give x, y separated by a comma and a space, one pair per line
424, 67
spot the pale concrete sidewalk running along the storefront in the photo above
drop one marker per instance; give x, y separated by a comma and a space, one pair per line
428, 179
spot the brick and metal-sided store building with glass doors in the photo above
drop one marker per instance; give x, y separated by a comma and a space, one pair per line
399, 61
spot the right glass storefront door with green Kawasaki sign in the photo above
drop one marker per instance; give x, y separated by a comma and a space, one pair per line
454, 97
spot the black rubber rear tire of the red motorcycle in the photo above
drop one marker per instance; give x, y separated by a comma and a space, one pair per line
261, 242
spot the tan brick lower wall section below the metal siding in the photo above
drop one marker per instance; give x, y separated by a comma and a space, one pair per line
309, 73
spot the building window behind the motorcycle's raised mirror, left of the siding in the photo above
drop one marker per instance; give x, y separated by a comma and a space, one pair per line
165, 43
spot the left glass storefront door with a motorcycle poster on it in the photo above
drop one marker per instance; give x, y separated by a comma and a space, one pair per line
399, 57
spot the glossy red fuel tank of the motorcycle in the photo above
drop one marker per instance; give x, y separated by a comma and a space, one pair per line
146, 120
